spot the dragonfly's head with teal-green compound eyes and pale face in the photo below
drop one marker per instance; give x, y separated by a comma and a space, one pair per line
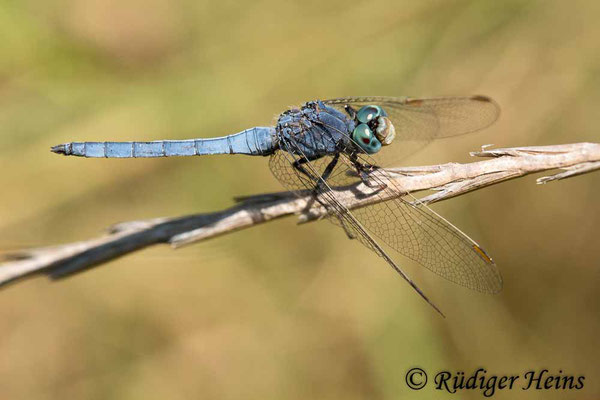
374, 129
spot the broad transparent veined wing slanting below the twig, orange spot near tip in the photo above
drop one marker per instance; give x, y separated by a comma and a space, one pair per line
419, 233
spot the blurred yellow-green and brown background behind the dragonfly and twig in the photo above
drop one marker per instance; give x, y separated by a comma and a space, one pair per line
285, 311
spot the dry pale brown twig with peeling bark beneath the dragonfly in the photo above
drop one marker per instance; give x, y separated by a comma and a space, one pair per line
447, 180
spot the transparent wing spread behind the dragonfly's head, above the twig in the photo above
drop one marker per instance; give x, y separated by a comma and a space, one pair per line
419, 121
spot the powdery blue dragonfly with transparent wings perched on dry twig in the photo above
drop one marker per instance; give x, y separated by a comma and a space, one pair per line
327, 144
